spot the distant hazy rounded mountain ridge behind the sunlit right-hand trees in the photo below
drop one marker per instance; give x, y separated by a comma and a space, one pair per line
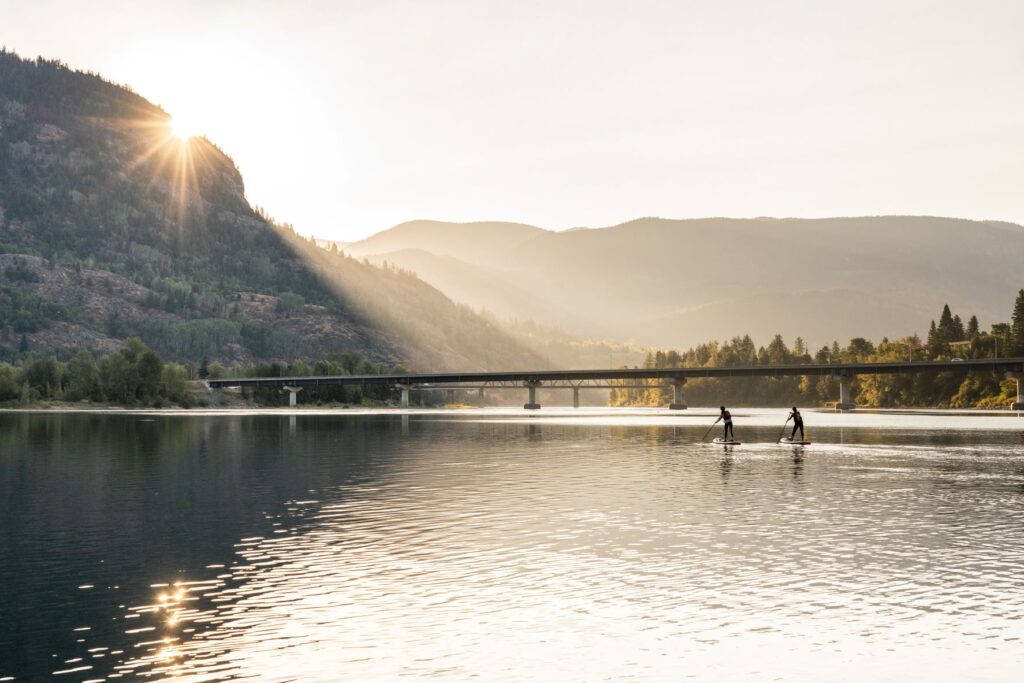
678, 283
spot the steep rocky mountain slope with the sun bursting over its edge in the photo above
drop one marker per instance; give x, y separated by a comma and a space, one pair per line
111, 228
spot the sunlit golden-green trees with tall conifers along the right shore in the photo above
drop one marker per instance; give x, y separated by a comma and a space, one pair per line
949, 338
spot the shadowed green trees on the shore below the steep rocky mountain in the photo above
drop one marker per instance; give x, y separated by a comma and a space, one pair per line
137, 377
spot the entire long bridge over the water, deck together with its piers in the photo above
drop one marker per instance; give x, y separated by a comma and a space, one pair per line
627, 378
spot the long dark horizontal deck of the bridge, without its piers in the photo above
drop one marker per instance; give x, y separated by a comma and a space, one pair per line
571, 377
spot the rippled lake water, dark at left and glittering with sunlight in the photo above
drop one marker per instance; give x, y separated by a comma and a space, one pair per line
587, 545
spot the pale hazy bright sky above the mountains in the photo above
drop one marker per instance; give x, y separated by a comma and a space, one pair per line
347, 118
